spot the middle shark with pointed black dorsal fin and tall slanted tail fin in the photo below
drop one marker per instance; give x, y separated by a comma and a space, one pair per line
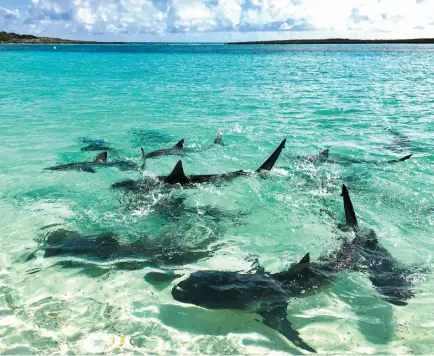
178, 176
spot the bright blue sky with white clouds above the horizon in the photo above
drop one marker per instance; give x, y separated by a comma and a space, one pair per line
218, 20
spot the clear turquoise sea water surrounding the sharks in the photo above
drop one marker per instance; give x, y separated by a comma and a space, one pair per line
364, 102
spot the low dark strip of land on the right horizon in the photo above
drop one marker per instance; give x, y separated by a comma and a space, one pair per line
339, 41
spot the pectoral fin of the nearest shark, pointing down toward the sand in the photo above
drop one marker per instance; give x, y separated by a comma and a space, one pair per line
275, 318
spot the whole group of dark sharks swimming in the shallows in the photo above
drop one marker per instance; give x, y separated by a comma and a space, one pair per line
264, 293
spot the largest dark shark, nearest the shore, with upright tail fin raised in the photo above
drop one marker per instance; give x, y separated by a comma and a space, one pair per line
267, 294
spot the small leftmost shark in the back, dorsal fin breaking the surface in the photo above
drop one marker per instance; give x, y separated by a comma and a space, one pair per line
99, 161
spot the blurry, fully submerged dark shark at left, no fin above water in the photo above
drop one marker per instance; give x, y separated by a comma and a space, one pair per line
188, 239
